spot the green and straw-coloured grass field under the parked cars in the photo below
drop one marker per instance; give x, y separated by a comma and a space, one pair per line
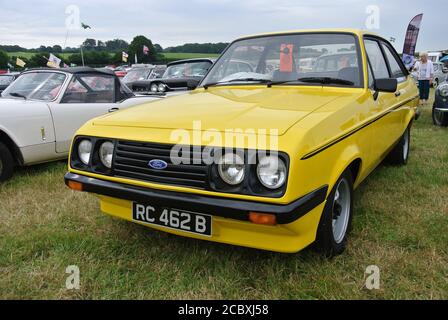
401, 225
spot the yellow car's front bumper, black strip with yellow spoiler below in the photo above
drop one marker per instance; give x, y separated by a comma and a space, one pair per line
297, 221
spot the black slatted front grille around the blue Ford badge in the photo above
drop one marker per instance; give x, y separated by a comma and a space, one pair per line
132, 159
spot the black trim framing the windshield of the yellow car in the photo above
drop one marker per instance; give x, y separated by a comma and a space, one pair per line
356, 37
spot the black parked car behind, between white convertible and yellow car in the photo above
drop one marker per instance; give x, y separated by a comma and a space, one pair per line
181, 75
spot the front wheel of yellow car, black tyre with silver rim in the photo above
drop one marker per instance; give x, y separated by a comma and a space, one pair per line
335, 223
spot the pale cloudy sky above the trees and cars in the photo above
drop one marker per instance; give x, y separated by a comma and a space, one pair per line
169, 23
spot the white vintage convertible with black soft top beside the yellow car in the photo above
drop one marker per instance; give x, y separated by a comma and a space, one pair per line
42, 109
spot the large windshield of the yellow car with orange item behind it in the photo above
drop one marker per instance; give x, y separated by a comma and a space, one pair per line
321, 58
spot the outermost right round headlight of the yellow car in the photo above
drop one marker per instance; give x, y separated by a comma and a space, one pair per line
271, 172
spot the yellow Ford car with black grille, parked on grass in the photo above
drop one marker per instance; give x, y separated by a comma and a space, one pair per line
264, 153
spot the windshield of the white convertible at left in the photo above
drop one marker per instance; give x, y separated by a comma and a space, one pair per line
44, 86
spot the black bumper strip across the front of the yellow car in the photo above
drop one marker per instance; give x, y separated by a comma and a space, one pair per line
223, 207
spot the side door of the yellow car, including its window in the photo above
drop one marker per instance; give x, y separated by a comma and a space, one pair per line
386, 129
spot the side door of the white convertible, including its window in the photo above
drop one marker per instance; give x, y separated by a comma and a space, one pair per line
87, 96
